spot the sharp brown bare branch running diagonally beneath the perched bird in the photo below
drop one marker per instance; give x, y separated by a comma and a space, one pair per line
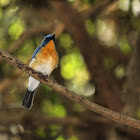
117, 117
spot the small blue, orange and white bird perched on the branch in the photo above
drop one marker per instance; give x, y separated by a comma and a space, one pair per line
45, 60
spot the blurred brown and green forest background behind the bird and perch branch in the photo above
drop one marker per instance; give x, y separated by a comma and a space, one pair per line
98, 45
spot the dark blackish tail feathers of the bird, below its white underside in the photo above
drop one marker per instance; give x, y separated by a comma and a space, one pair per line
28, 99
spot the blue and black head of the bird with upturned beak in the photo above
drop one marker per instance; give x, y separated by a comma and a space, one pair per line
46, 39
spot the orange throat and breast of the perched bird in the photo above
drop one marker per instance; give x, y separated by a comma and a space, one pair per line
48, 52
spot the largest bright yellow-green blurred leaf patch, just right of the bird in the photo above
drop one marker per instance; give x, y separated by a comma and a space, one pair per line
74, 68
